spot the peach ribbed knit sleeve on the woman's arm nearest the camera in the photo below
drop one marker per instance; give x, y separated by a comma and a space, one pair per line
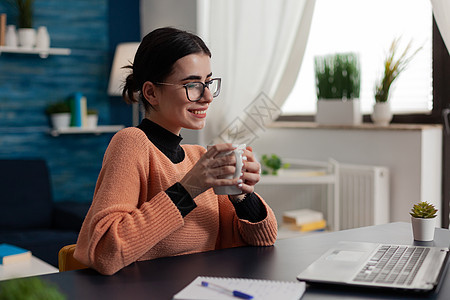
118, 229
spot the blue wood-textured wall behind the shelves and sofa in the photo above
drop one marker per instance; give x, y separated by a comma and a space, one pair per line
28, 83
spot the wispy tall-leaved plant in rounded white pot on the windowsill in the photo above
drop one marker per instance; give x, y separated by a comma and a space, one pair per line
394, 65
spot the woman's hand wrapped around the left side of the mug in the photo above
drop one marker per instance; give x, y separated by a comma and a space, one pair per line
210, 170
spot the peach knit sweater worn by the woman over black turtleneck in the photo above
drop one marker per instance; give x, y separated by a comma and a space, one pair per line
132, 218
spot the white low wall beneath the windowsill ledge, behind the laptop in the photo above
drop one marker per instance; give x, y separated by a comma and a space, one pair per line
412, 156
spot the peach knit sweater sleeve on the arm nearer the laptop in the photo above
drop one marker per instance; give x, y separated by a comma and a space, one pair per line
234, 232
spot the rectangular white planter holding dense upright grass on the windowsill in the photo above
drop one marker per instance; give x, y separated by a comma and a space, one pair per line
338, 112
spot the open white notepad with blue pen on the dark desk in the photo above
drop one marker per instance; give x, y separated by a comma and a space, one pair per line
258, 288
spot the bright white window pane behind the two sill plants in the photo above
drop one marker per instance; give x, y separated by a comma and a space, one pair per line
368, 28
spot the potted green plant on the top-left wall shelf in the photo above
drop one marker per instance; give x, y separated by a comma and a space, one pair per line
26, 32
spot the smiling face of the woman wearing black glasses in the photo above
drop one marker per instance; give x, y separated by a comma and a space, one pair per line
173, 110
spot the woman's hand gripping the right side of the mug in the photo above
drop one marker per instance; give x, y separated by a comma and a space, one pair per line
251, 174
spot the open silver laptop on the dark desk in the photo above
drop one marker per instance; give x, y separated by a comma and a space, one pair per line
400, 267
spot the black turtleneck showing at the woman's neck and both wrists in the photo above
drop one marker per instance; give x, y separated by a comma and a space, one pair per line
251, 208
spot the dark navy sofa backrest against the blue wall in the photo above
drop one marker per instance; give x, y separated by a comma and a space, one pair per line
25, 194
